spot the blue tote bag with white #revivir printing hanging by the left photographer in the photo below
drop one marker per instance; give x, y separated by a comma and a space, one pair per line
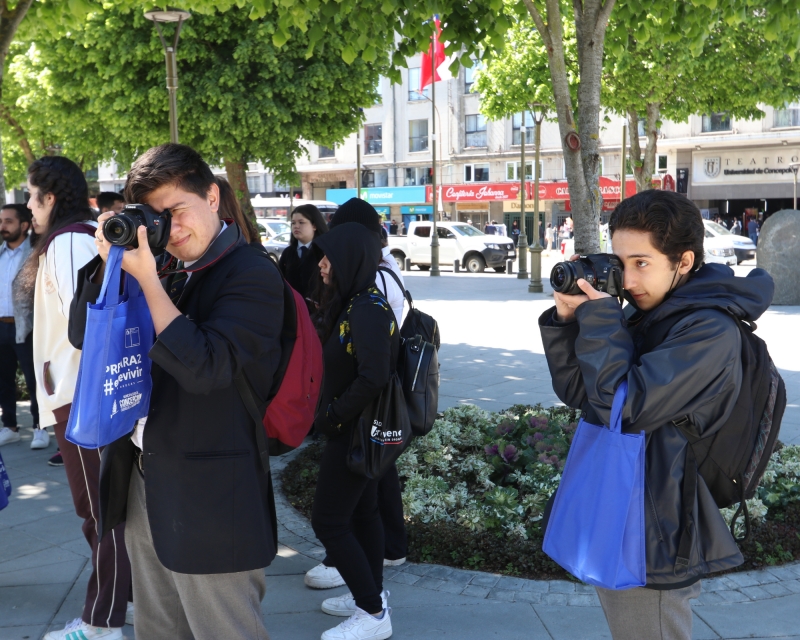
114, 385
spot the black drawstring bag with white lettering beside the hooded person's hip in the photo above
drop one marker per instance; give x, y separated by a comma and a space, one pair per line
381, 433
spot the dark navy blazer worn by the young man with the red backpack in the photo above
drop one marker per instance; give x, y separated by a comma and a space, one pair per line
210, 505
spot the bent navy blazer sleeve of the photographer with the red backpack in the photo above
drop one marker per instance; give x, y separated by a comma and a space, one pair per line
244, 327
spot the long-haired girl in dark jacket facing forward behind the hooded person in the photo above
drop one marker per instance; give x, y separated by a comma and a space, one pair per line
297, 263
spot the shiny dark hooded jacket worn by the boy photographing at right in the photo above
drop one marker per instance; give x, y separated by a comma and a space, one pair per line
696, 372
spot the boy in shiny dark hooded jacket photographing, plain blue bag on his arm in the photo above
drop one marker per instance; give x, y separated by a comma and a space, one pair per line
592, 344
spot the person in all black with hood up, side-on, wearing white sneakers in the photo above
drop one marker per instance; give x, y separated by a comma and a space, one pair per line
361, 342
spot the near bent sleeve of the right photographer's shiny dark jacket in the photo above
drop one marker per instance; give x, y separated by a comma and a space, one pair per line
694, 372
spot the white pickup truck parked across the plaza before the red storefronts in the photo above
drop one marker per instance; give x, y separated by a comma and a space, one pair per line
460, 241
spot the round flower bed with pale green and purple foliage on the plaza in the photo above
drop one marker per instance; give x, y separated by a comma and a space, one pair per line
475, 488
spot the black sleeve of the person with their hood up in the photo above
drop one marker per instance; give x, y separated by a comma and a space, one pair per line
372, 331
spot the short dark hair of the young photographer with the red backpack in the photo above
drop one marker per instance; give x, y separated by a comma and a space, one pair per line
168, 164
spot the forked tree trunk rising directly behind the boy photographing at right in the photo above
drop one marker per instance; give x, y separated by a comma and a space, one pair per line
582, 165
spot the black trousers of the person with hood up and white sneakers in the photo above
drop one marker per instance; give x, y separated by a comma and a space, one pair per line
346, 520
